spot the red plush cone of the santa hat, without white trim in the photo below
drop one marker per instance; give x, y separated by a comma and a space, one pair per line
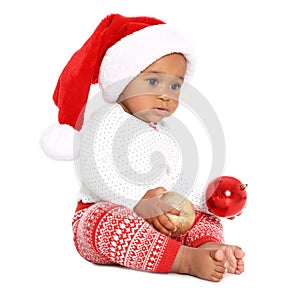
82, 70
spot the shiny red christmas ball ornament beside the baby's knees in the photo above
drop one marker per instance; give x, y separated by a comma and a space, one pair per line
226, 196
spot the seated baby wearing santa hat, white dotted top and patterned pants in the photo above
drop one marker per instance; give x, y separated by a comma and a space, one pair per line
120, 218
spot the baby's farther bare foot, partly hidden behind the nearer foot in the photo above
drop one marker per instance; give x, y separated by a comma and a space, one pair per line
234, 256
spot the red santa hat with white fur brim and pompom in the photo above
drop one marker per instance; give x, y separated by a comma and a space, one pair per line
120, 48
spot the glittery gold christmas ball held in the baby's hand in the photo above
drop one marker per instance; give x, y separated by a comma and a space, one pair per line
187, 217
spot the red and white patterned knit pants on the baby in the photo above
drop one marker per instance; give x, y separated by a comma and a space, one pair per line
106, 233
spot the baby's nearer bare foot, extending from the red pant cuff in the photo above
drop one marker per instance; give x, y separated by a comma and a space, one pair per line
207, 264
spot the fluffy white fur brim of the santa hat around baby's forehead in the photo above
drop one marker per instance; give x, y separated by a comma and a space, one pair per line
131, 55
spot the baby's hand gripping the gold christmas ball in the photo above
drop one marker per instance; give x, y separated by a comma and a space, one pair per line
153, 210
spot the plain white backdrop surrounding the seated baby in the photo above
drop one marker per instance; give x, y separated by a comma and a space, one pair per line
248, 53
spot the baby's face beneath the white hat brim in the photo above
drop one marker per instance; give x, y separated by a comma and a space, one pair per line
153, 94
